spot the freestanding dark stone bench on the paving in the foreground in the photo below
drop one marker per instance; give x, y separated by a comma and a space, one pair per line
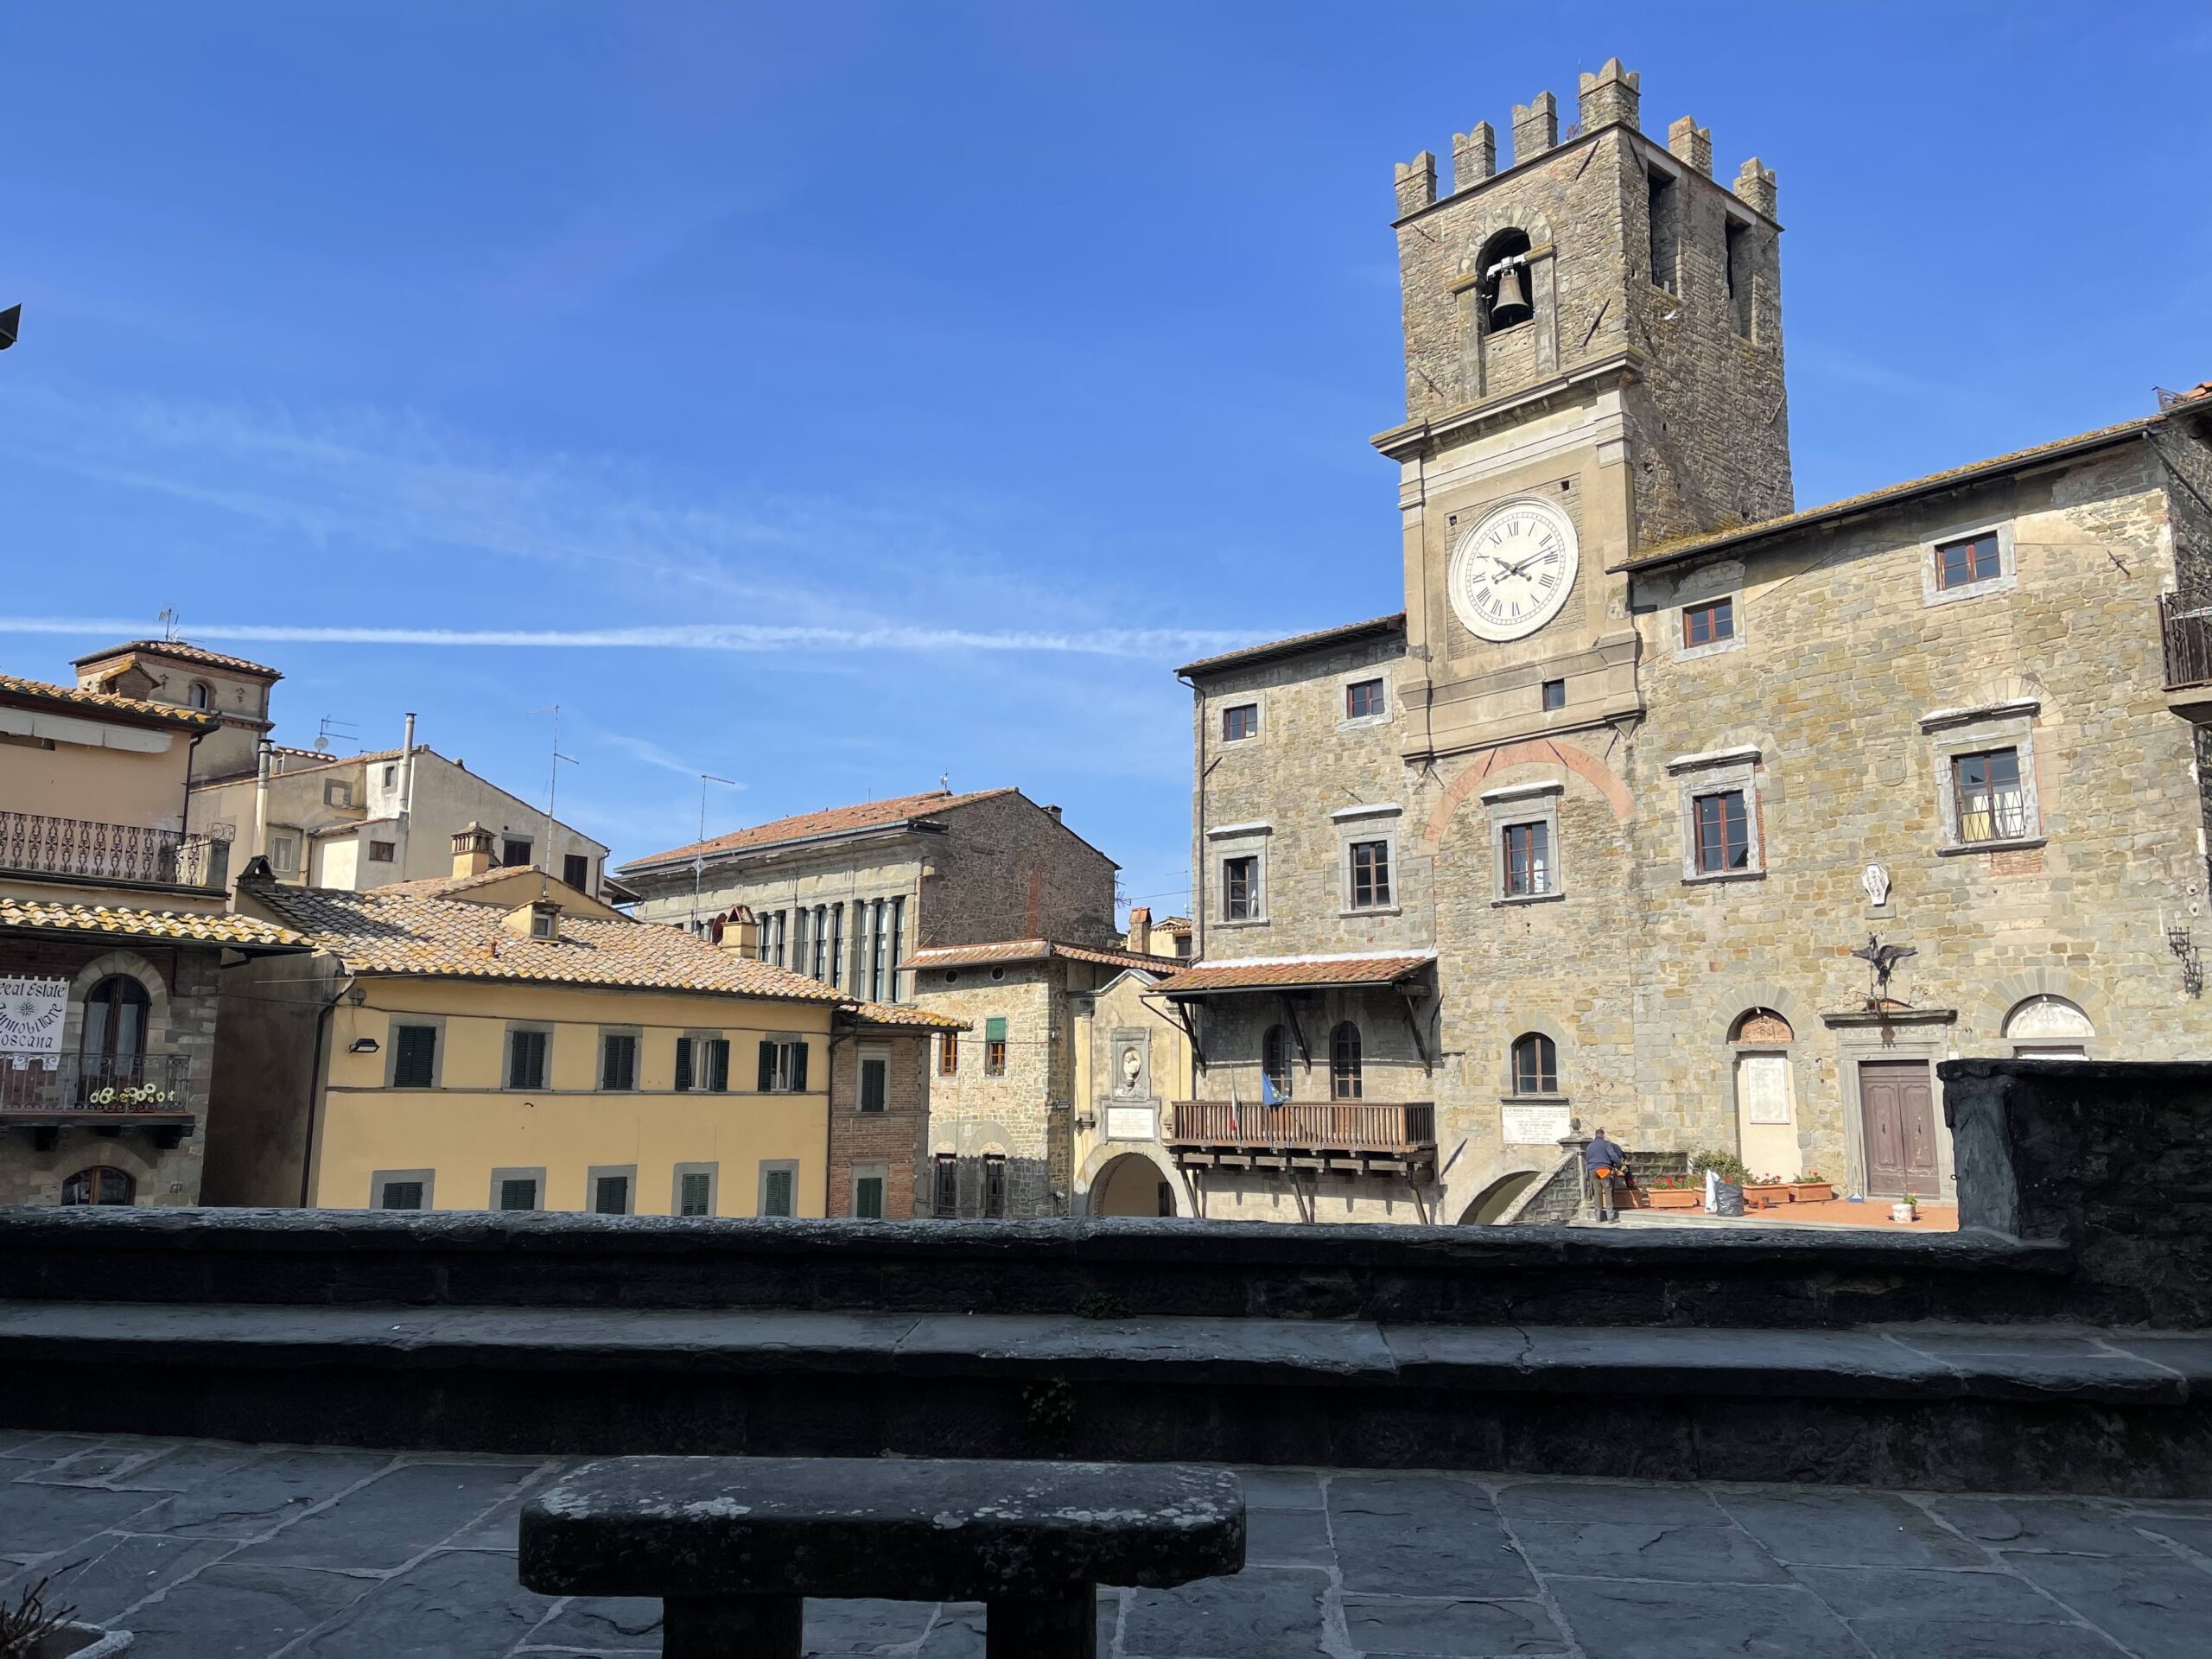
735, 1545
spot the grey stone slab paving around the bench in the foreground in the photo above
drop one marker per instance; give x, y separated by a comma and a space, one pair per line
231, 1552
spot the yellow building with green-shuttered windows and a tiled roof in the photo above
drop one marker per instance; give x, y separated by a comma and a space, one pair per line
501, 1041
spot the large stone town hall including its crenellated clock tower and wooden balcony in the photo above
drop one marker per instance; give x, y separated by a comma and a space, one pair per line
1627, 813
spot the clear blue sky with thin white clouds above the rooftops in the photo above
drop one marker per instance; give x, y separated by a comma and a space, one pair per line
910, 388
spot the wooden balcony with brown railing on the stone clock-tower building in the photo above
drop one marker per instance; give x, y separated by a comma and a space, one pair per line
1324, 1136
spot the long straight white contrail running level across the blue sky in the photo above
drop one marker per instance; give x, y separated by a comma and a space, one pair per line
711, 636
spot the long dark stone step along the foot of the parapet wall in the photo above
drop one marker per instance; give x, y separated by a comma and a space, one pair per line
1994, 1408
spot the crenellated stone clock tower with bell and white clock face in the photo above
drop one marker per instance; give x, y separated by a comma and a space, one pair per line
1594, 366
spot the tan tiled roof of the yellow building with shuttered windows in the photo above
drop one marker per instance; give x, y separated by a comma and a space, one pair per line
413, 935
